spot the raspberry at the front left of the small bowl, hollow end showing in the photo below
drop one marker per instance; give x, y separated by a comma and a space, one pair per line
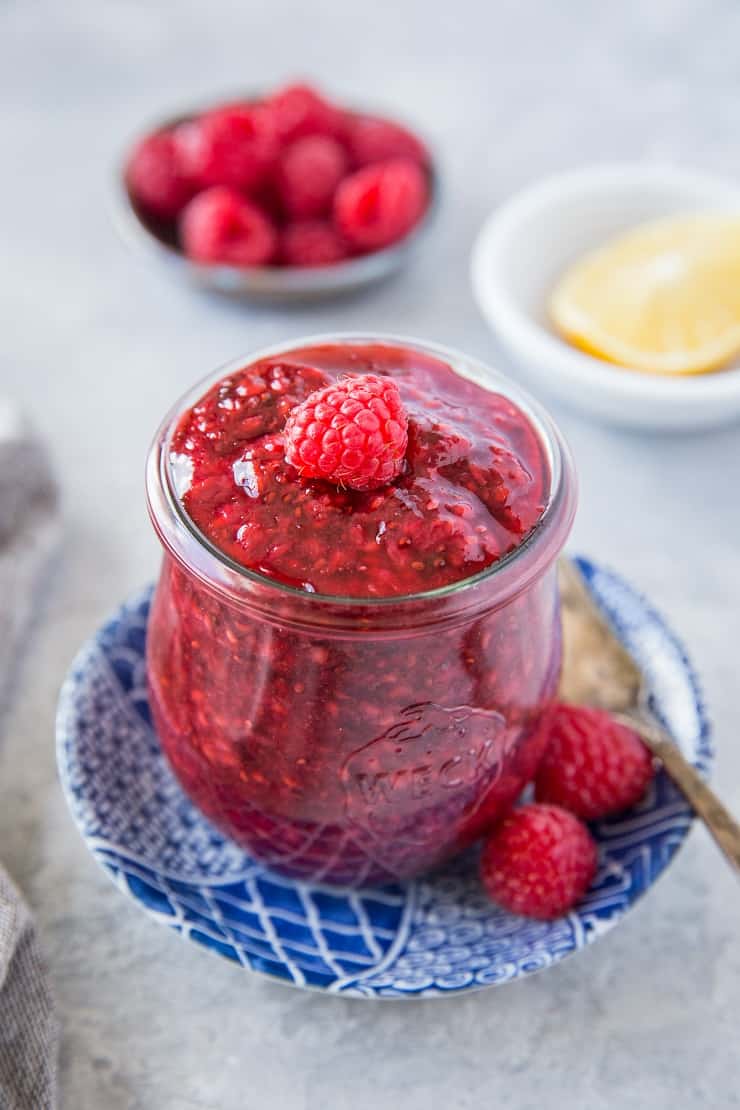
221, 226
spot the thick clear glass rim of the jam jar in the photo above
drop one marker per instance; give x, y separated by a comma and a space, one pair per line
177, 530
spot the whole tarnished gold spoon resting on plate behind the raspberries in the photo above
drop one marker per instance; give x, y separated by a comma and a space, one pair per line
599, 671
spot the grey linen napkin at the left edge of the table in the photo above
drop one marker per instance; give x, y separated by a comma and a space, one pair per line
28, 533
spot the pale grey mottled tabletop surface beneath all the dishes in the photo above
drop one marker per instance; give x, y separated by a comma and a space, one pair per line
96, 344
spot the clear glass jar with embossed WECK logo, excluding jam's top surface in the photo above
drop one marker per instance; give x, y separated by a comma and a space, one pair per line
346, 741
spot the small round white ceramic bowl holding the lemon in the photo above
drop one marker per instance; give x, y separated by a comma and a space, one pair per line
526, 245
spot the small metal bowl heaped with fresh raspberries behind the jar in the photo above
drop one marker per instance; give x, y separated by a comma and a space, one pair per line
285, 196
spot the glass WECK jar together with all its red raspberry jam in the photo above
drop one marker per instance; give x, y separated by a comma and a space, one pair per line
349, 682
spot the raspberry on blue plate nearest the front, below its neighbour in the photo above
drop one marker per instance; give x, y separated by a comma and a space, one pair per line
541, 861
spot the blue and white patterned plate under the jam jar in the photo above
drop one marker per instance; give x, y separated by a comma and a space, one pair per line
430, 937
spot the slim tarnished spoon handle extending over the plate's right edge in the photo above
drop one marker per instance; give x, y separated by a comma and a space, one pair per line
704, 801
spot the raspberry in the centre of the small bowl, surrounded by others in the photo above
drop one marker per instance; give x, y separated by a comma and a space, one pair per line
308, 175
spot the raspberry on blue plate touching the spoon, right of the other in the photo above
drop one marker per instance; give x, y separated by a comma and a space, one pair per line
593, 766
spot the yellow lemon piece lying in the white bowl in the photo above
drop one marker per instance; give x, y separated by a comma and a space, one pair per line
663, 299
